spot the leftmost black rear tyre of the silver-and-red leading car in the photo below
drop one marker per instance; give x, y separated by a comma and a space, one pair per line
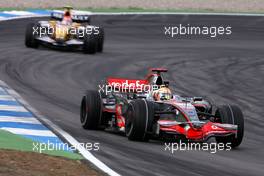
91, 110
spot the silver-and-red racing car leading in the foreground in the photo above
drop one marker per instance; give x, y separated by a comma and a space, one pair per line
142, 113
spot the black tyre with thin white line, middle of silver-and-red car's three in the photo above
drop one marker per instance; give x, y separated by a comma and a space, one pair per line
139, 120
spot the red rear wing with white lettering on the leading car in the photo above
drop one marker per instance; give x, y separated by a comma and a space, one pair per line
128, 85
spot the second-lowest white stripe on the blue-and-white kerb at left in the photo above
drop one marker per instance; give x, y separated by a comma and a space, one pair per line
29, 120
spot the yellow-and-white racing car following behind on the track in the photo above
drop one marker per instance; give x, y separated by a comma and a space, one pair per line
69, 29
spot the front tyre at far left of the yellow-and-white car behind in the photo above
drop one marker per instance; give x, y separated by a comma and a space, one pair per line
30, 36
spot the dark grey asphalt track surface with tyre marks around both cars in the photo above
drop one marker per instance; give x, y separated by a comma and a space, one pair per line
227, 69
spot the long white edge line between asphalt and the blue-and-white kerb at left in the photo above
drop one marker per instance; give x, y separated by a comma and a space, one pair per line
86, 154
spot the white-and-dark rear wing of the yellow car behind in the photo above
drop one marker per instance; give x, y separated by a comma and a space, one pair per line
77, 16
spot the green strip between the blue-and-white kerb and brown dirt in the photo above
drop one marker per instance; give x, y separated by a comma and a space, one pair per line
17, 142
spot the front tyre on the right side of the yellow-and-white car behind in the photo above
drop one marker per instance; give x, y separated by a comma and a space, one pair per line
90, 43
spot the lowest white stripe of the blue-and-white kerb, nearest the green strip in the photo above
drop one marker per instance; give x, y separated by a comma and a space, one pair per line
20, 131
